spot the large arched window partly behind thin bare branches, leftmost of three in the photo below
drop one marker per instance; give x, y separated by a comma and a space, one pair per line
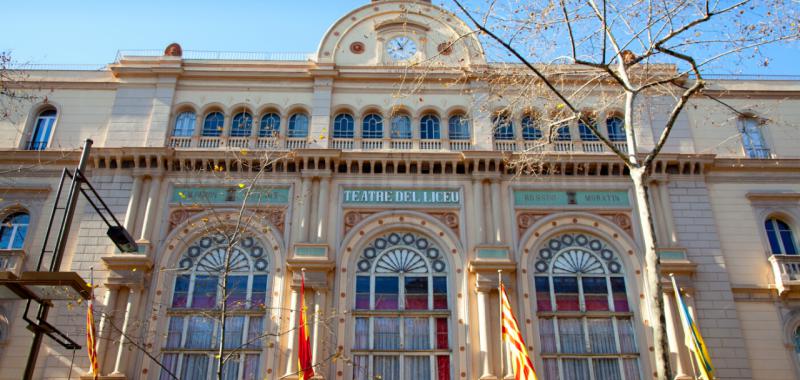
193, 333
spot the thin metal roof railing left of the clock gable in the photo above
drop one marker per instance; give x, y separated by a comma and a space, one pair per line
223, 55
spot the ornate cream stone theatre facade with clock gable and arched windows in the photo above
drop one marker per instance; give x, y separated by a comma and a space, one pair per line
399, 207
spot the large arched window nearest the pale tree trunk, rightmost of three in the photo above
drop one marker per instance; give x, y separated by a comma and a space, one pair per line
585, 323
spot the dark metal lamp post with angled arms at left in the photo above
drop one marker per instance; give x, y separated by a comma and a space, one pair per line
45, 286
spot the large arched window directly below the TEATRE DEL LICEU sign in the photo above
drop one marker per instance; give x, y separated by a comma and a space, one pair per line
401, 311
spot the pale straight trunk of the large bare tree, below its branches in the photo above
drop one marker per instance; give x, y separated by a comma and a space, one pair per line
654, 300
